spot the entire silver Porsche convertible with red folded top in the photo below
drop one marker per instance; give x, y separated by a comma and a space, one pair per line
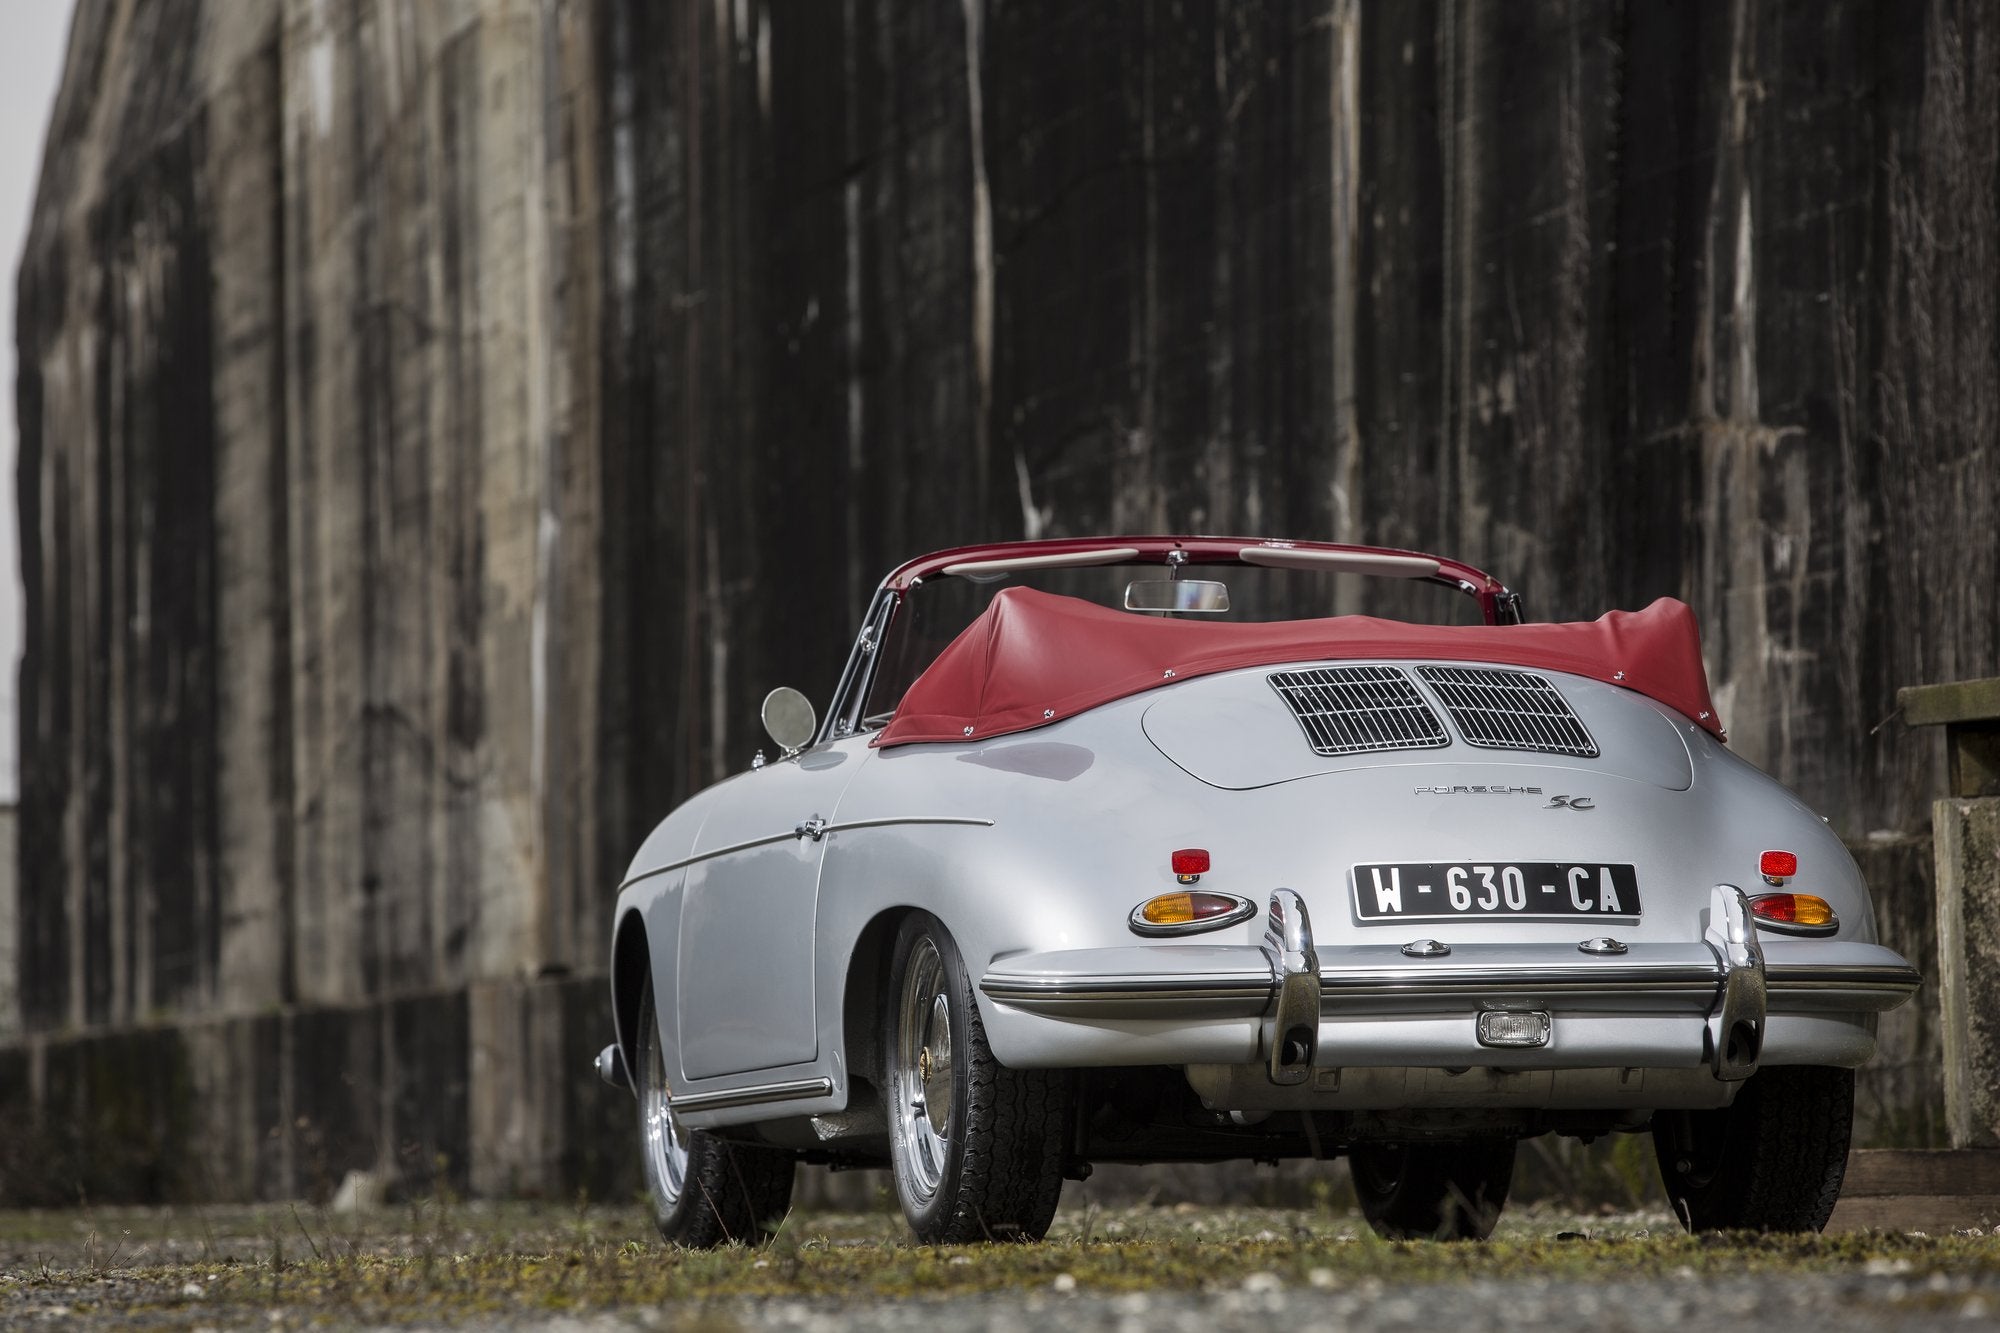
1131, 850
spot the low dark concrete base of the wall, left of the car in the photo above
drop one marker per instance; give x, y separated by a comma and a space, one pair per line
285, 1106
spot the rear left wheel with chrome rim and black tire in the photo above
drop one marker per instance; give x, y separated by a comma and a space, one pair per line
987, 1166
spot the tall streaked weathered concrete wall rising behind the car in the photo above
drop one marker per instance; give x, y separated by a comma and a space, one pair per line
441, 423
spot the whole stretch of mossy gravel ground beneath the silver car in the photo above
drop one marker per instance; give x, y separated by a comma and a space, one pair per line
1117, 1270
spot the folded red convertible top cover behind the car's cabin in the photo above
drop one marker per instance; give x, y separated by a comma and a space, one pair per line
1033, 659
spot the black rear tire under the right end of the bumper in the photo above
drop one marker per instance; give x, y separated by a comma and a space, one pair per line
1769, 1162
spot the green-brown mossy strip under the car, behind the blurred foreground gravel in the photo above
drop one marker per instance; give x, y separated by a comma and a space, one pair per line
447, 1266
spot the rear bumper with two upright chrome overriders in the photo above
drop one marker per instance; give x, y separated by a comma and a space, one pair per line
1713, 1004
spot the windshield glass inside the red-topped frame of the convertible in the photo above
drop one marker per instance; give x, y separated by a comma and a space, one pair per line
939, 609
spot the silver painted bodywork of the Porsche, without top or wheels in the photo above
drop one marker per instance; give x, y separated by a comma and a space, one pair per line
1063, 840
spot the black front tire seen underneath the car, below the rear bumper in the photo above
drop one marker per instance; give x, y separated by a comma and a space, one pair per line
1433, 1192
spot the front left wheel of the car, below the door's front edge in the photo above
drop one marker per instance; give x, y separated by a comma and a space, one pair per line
705, 1192
